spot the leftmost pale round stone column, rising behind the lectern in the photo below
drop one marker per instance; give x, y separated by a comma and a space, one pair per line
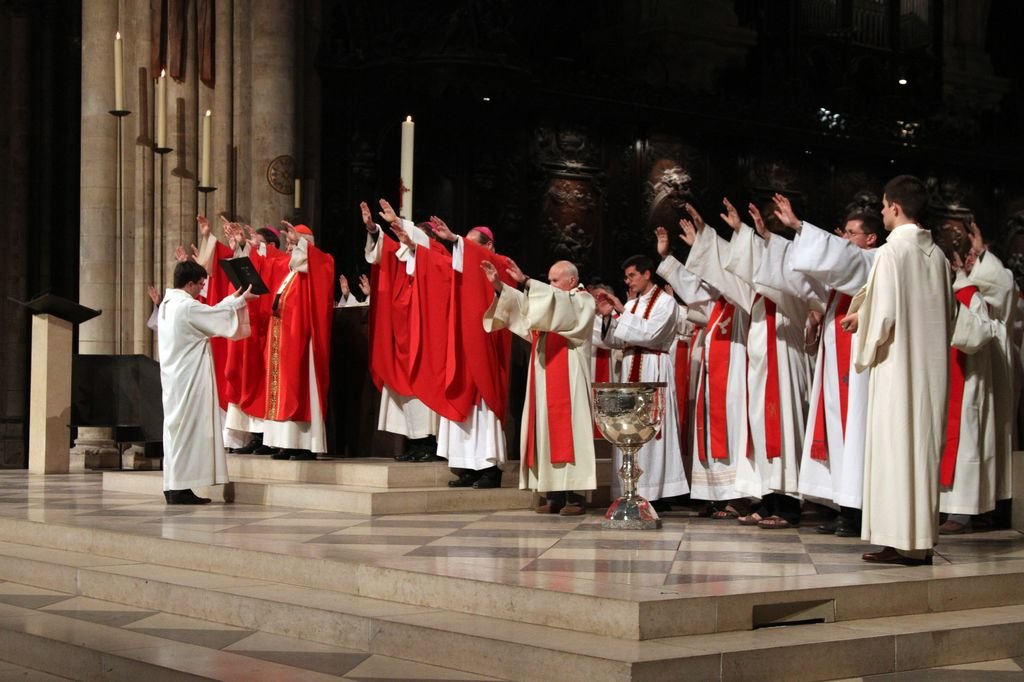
99, 227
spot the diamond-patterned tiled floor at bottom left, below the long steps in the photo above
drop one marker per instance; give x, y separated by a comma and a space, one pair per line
168, 629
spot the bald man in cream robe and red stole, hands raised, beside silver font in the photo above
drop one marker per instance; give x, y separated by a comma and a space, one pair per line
557, 445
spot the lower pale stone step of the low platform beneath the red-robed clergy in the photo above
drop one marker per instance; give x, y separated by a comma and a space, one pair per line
323, 497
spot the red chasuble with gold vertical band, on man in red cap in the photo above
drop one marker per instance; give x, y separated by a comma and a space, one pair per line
302, 316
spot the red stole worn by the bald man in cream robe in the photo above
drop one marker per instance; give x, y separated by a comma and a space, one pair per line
557, 385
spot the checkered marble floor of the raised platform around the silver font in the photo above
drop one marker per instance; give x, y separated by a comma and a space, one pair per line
492, 546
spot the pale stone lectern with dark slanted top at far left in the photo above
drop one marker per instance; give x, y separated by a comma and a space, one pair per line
50, 404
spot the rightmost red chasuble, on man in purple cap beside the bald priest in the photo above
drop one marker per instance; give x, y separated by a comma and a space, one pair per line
481, 360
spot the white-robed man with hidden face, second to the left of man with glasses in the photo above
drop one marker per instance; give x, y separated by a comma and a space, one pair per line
719, 414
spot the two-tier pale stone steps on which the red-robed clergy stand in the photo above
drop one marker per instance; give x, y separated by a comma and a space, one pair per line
364, 486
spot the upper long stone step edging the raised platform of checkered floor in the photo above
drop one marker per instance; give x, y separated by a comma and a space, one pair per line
633, 614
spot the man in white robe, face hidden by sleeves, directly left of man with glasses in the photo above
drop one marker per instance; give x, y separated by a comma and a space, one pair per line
779, 369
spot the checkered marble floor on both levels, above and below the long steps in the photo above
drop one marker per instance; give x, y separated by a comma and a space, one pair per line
690, 556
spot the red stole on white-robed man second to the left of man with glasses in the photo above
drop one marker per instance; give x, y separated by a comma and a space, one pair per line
715, 370
